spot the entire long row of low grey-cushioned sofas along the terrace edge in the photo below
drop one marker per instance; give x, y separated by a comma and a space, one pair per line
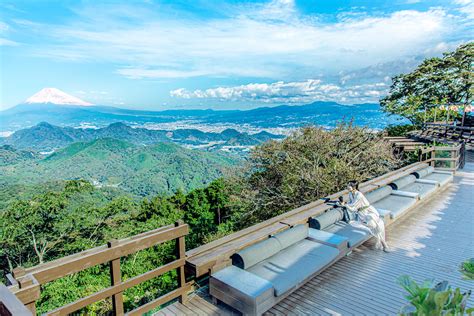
266, 272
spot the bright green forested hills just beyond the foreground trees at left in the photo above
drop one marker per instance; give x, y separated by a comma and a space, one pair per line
161, 168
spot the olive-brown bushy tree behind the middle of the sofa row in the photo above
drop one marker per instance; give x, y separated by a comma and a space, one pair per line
310, 164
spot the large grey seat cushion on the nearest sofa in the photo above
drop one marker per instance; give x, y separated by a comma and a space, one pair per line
291, 266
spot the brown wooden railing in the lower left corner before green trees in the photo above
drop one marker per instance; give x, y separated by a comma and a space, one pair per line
26, 283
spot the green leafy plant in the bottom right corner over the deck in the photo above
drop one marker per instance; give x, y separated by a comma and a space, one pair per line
429, 299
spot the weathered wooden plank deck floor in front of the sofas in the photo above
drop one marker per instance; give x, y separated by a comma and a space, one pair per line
430, 242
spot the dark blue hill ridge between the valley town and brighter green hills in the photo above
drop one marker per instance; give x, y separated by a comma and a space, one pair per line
47, 137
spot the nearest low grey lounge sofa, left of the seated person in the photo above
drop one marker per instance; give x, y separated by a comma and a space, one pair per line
266, 272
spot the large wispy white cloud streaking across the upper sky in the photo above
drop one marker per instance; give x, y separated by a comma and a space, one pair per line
267, 41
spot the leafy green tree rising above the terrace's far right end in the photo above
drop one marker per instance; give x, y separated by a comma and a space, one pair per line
445, 80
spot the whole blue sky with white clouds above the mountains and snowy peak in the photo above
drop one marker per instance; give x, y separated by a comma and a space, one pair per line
220, 54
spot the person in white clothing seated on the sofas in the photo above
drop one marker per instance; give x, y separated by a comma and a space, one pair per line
366, 215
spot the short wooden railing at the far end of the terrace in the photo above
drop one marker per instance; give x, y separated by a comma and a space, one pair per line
450, 158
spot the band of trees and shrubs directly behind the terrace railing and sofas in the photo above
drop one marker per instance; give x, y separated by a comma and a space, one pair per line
75, 215
